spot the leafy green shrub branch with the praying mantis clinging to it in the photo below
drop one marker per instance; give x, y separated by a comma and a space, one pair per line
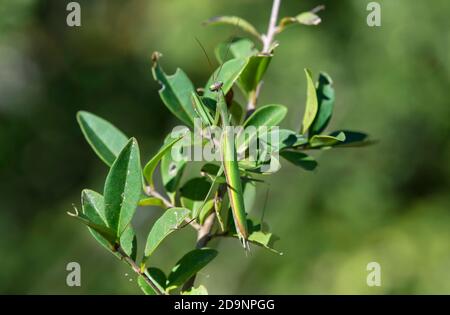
220, 198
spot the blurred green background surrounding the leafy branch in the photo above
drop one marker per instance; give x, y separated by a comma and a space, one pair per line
387, 203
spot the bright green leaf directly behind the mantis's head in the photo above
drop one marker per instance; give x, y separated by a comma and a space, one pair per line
228, 75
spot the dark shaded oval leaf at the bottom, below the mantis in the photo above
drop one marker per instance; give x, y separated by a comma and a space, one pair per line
189, 265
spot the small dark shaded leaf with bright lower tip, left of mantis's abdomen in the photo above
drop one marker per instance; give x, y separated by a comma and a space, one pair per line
193, 193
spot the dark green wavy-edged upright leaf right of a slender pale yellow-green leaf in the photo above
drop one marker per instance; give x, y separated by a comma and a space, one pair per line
325, 98
